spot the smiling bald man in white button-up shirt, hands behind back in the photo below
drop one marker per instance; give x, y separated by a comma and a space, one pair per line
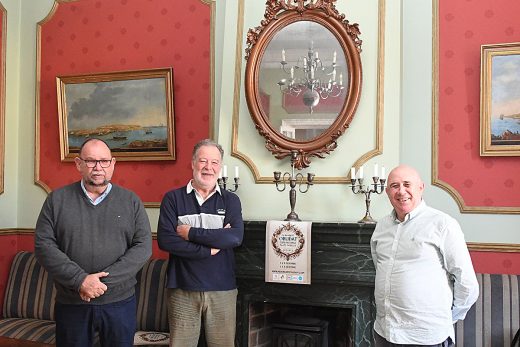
425, 280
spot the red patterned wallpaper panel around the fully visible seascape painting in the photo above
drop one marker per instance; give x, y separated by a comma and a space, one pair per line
93, 36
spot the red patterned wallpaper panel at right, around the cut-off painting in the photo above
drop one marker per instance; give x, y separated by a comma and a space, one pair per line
465, 25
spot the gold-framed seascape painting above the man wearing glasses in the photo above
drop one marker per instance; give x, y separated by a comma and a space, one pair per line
132, 111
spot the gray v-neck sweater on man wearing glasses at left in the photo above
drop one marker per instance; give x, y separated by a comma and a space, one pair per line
74, 238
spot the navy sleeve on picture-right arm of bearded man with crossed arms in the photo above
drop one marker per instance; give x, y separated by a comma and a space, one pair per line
223, 238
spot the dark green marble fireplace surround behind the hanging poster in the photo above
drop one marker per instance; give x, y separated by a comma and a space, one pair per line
342, 277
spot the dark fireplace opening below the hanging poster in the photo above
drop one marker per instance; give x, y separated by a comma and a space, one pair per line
289, 325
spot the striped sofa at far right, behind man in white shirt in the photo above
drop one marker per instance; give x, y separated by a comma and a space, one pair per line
494, 319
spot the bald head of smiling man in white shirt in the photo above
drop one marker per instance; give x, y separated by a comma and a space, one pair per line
404, 189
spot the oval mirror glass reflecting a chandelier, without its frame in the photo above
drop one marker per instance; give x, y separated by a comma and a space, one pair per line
302, 81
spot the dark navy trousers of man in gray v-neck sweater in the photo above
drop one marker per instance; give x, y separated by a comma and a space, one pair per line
115, 323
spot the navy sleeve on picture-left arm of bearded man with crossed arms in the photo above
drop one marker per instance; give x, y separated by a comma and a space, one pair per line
167, 237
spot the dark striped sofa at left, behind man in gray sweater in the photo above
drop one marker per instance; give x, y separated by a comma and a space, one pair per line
28, 309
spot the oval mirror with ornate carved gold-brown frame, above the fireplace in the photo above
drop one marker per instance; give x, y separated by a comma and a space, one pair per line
303, 77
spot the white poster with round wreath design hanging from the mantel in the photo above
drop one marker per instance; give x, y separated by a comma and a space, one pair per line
288, 252
